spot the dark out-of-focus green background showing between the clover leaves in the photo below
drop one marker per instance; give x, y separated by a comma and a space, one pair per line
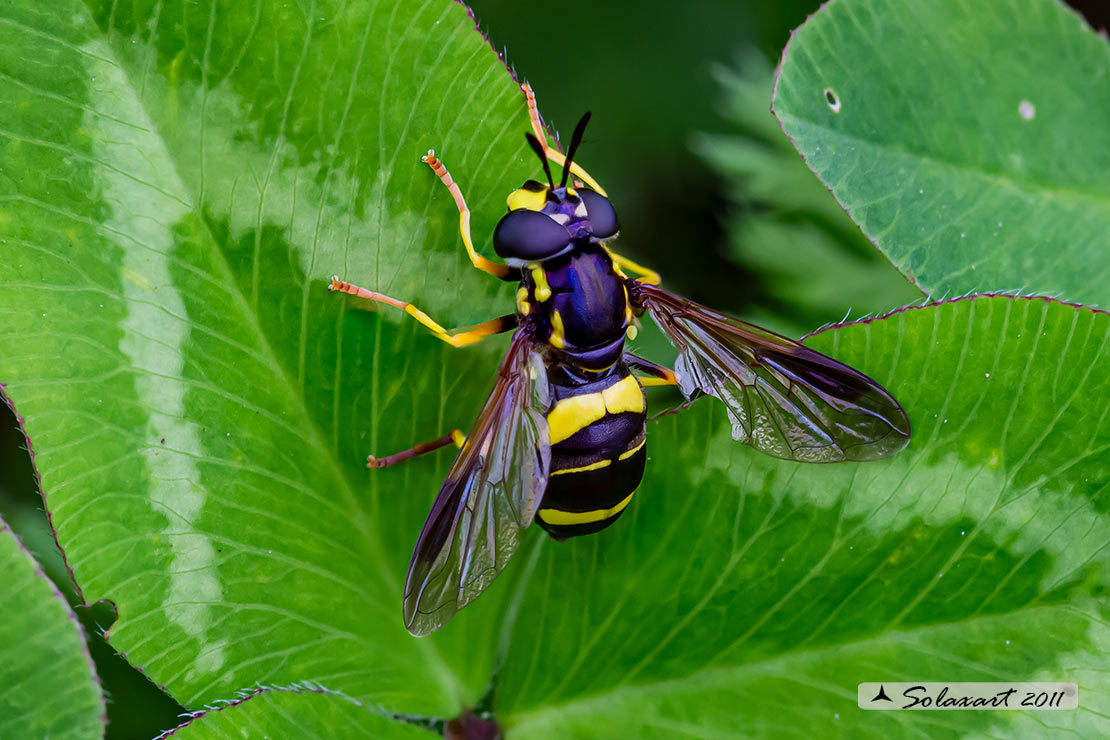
709, 189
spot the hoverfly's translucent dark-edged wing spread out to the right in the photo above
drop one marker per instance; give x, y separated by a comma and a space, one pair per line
783, 399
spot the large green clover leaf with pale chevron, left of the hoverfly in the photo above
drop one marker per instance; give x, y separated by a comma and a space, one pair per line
178, 181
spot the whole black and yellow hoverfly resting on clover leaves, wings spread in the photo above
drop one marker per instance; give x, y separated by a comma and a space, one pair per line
561, 439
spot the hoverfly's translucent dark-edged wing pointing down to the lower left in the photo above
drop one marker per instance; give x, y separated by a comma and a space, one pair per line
491, 494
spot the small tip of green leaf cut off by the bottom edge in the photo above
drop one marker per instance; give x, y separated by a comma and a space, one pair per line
296, 714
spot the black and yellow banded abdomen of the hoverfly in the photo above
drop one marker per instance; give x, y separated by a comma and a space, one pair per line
598, 454
